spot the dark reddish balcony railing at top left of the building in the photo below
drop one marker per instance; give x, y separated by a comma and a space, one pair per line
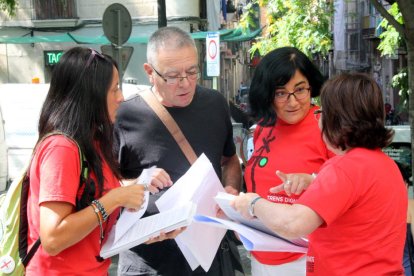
54, 9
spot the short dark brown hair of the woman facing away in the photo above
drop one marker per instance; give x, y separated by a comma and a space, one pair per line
353, 113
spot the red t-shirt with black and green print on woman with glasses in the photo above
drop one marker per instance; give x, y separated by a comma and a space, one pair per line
297, 148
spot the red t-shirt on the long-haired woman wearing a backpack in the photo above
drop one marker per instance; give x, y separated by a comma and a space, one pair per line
54, 176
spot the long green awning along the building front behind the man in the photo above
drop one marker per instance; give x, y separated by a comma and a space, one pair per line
233, 35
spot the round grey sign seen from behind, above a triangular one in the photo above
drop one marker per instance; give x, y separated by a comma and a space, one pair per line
117, 24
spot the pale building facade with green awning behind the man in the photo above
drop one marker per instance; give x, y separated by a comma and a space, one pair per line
32, 40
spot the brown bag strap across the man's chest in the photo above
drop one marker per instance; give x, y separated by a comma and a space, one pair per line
170, 124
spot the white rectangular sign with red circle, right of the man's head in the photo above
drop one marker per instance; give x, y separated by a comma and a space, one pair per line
213, 54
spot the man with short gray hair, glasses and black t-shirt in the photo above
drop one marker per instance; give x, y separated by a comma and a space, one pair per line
143, 141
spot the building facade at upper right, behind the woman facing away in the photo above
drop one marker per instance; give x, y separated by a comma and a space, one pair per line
356, 33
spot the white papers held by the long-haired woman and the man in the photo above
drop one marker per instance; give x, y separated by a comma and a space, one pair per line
192, 194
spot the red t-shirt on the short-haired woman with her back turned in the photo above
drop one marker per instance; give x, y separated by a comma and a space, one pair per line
362, 199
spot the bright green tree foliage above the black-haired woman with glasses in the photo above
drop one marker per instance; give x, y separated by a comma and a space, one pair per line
300, 23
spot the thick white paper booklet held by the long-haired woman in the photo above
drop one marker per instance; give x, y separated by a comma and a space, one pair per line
149, 227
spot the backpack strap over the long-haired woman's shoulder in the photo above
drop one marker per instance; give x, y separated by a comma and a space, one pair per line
25, 255
